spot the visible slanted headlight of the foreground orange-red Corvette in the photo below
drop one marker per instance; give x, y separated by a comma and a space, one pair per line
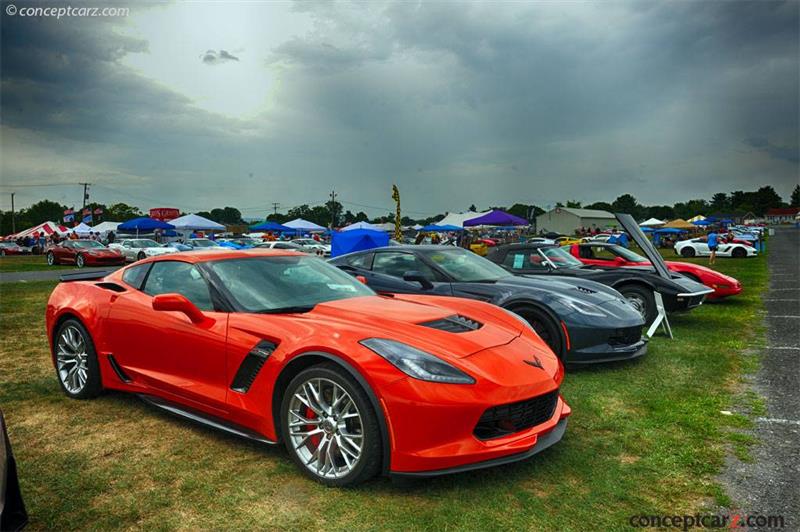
416, 363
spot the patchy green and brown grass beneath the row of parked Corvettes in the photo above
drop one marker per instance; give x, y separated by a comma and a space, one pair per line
645, 437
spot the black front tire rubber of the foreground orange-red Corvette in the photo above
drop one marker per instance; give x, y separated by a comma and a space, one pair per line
369, 461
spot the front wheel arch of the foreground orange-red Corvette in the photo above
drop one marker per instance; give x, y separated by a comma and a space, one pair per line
312, 358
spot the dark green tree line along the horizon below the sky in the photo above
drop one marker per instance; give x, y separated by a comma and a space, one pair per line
332, 213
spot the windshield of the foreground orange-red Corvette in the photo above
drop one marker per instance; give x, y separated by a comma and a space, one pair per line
285, 283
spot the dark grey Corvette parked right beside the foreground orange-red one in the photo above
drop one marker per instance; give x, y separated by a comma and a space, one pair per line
582, 321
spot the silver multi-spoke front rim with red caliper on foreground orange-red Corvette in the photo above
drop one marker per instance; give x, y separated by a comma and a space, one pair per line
325, 428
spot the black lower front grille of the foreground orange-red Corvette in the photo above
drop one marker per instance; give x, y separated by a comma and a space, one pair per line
507, 419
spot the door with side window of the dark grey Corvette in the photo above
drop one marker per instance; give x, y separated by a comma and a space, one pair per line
389, 267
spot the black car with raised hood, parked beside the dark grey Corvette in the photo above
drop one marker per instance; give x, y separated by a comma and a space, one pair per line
636, 284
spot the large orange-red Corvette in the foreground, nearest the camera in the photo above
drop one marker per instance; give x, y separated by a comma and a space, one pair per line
276, 345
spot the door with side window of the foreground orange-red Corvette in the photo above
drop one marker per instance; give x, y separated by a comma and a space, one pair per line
165, 350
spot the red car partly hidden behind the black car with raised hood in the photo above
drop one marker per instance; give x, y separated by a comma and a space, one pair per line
603, 255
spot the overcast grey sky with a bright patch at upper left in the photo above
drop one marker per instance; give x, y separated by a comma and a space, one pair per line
203, 105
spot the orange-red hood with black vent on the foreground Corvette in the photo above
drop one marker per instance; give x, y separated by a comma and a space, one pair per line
396, 319
